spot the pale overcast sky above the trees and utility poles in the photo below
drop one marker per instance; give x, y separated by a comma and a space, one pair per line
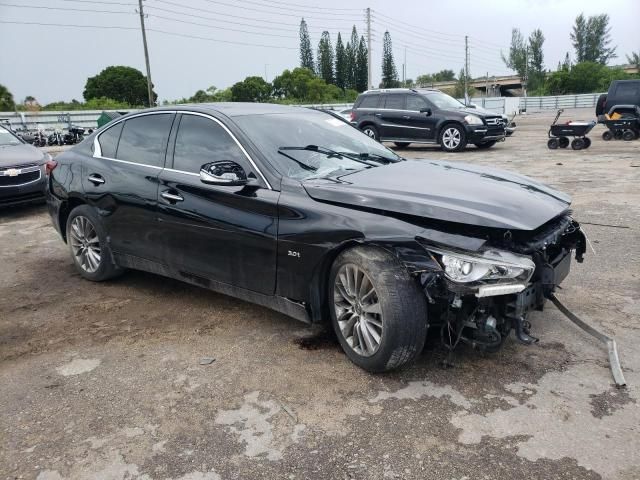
52, 62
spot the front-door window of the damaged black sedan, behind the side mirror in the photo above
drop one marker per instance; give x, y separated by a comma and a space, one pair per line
201, 140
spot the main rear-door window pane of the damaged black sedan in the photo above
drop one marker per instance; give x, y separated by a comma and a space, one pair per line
144, 139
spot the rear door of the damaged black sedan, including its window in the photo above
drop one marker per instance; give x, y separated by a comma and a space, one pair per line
121, 181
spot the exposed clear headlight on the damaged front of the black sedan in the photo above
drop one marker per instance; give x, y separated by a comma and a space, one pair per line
490, 266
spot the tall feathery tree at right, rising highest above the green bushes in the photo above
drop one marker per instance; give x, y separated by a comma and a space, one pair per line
591, 38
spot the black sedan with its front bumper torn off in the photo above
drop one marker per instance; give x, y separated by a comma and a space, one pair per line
296, 210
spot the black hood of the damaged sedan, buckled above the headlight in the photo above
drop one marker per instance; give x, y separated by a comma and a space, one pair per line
454, 192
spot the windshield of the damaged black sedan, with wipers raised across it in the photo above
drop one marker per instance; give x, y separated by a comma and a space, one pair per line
276, 134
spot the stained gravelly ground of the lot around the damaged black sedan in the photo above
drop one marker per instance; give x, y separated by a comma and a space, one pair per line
106, 381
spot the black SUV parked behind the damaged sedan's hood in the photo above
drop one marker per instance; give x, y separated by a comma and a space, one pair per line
405, 116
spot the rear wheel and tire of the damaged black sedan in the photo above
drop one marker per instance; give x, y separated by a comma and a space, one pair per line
90, 252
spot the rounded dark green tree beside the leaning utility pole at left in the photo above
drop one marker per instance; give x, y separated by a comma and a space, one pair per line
121, 83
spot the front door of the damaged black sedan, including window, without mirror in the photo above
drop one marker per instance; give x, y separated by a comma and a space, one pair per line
217, 233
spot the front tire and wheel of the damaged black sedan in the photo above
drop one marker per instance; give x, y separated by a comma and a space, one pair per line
393, 306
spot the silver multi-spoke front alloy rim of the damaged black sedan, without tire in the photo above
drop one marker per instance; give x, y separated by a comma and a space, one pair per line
358, 310
